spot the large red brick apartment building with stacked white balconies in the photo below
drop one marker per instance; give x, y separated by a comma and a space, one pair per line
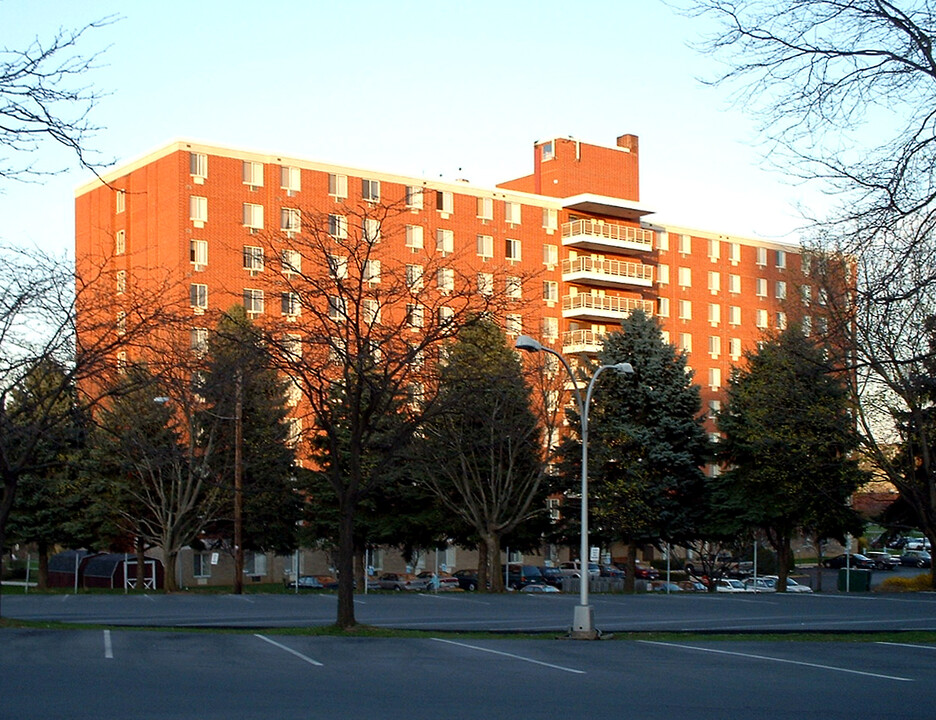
573, 228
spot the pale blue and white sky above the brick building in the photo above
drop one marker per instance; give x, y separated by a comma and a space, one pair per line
433, 90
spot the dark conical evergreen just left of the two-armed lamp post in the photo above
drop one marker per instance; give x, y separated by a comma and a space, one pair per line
483, 456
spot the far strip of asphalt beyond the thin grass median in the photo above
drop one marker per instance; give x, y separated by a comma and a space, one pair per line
512, 613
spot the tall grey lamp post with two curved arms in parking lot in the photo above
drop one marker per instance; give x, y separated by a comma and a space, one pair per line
583, 620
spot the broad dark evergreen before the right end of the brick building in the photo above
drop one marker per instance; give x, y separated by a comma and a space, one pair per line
789, 445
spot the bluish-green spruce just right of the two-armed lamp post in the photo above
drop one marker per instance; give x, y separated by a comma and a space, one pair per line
646, 443
